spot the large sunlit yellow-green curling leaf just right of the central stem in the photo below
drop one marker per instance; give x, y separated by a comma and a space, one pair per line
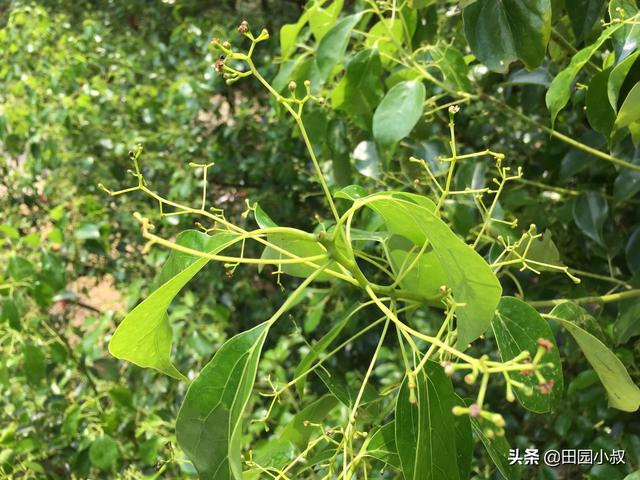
470, 278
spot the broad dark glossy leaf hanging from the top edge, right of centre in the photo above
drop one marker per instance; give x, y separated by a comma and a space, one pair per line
502, 31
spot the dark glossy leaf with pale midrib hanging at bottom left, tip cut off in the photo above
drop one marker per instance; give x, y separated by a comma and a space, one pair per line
208, 427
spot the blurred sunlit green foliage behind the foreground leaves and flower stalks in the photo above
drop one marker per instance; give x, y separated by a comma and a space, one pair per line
82, 83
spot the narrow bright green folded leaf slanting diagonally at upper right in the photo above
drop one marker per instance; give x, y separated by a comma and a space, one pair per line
560, 90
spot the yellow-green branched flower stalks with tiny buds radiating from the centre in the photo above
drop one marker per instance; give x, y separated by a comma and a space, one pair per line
339, 259
